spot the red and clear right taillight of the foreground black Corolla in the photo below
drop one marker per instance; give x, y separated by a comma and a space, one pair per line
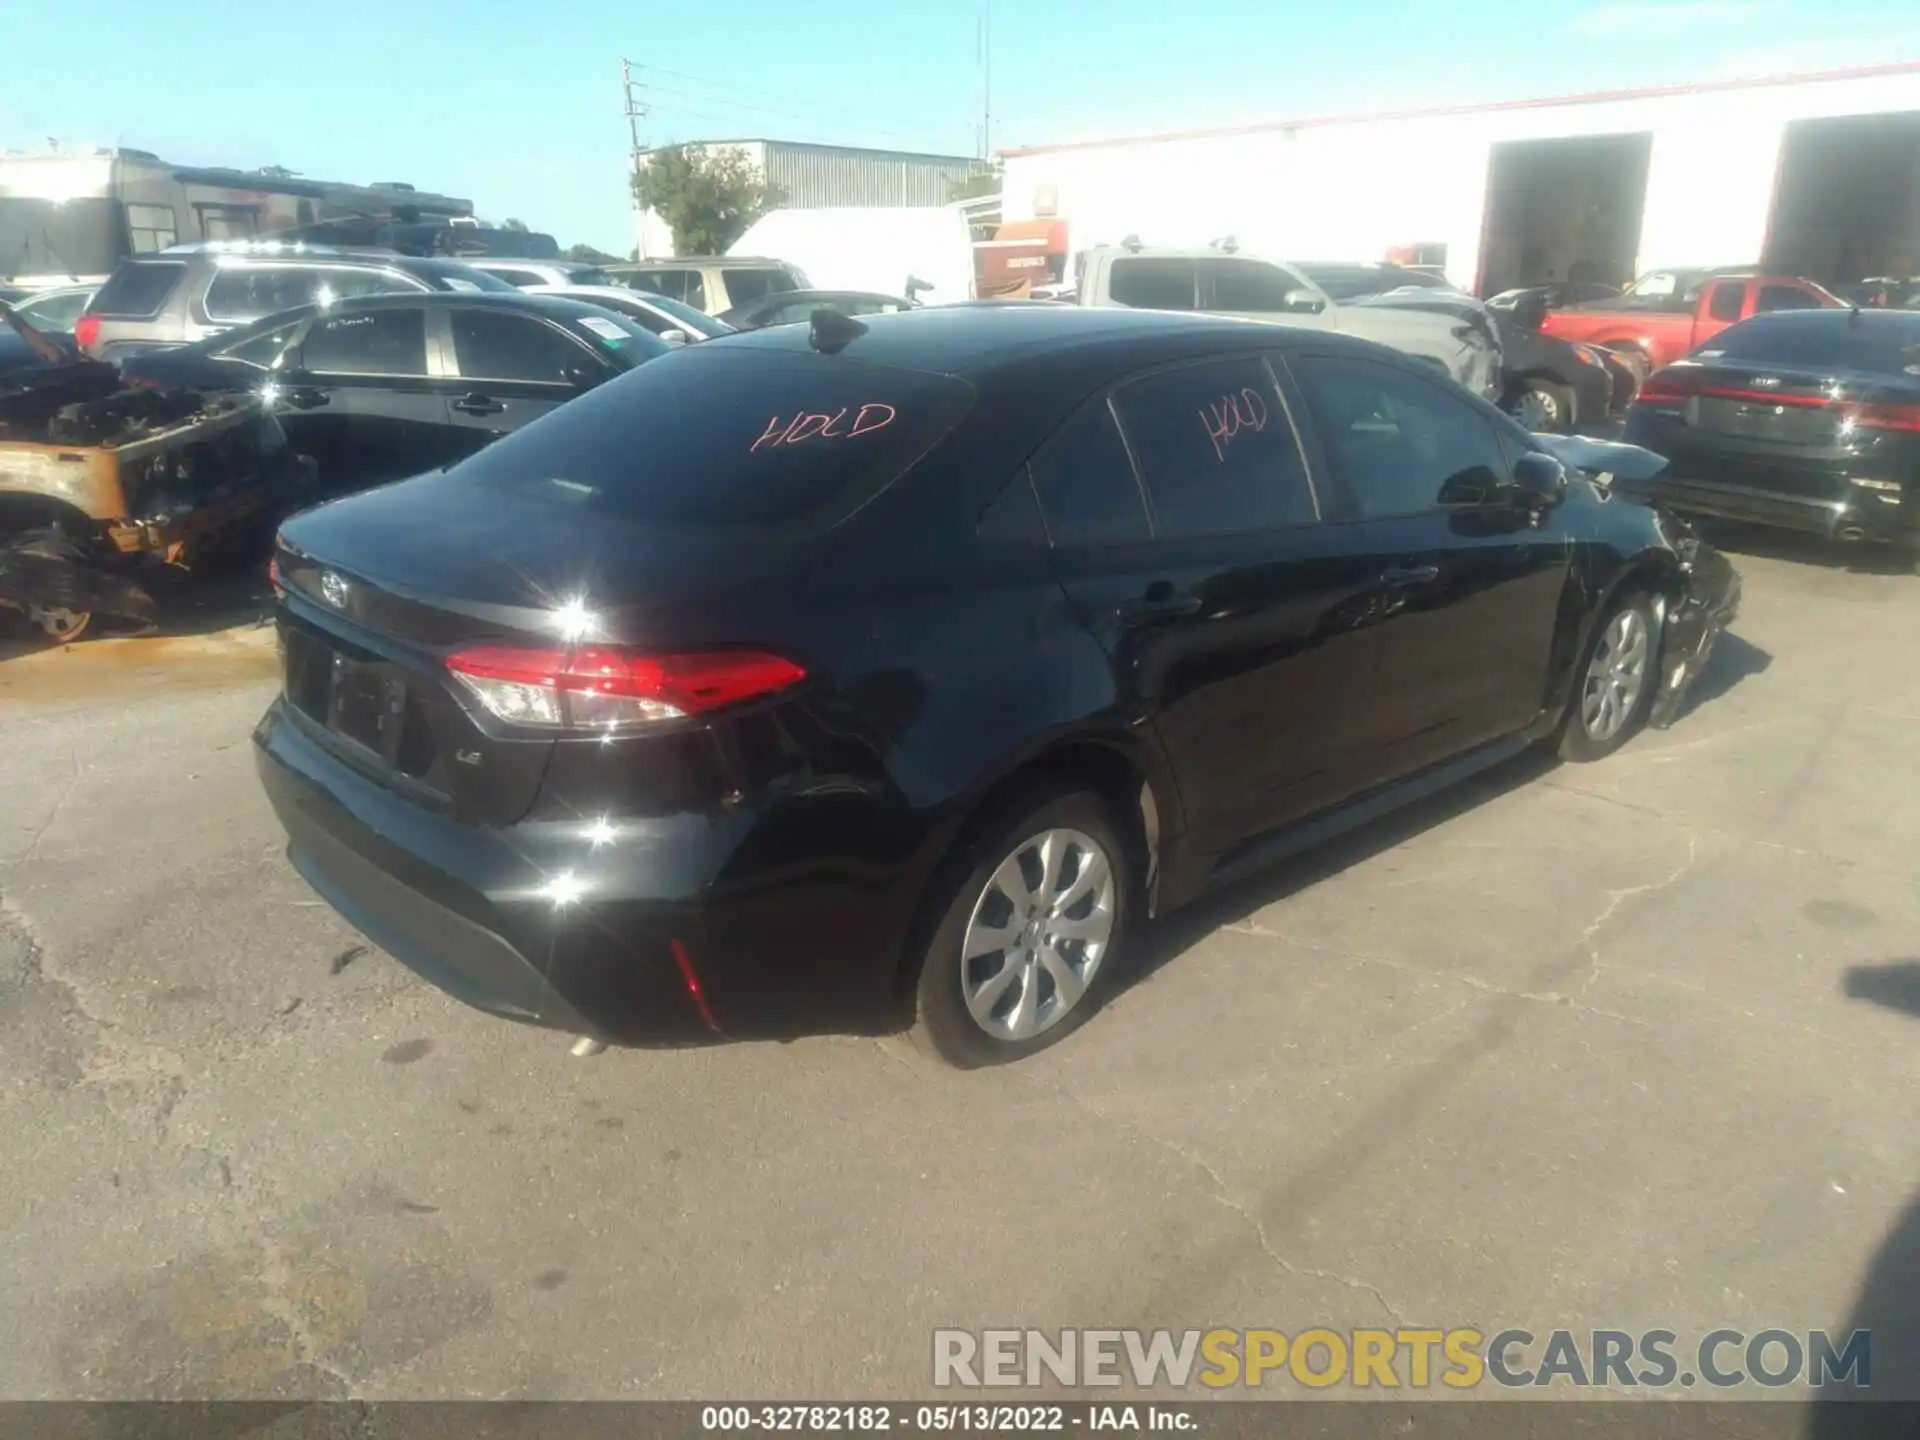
608, 688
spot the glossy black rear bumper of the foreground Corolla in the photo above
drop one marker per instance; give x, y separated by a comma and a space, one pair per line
677, 928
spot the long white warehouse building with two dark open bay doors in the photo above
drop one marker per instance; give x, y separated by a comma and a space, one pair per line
1802, 174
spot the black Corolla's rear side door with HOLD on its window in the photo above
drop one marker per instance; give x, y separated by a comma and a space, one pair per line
1188, 533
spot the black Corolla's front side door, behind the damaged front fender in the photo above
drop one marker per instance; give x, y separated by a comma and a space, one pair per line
1472, 588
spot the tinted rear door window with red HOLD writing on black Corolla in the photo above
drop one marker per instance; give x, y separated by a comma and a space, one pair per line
1216, 450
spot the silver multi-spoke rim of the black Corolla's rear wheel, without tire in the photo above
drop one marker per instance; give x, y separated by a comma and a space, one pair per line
1038, 934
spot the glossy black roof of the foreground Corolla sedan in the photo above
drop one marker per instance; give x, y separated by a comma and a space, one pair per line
980, 341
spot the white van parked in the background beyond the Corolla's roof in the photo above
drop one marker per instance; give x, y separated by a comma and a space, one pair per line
876, 249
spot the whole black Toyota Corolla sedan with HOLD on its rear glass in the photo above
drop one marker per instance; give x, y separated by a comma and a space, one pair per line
896, 671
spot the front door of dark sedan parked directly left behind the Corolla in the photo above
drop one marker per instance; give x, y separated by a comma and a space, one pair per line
508, 370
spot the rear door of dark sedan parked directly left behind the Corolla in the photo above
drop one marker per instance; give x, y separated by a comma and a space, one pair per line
375, 410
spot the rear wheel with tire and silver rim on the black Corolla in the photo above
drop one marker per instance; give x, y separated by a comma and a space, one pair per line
1028, 936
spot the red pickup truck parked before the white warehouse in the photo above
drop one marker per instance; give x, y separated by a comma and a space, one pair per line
1669, 314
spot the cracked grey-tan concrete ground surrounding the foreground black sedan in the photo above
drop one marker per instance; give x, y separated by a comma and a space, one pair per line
1621, 1045
